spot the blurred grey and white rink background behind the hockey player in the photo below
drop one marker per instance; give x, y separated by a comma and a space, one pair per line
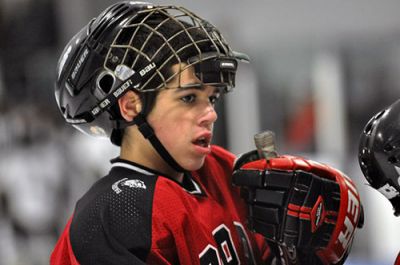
319, 71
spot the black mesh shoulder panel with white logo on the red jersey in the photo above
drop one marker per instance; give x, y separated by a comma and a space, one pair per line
112, 221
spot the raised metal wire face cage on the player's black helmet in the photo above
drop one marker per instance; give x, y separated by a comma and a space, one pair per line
201, 40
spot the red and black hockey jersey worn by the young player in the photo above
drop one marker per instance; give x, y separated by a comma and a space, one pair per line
137, 216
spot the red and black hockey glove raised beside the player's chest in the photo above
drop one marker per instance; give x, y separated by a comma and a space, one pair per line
308, 209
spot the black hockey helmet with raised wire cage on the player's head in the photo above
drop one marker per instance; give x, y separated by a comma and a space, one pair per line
132, 45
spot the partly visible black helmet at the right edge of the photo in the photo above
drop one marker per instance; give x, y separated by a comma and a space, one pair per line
379, 153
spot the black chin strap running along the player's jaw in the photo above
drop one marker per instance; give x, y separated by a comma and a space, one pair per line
148, 133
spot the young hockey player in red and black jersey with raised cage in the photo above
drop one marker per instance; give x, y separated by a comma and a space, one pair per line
148, 77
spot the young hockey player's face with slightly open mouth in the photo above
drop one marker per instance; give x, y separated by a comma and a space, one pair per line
183, 119
